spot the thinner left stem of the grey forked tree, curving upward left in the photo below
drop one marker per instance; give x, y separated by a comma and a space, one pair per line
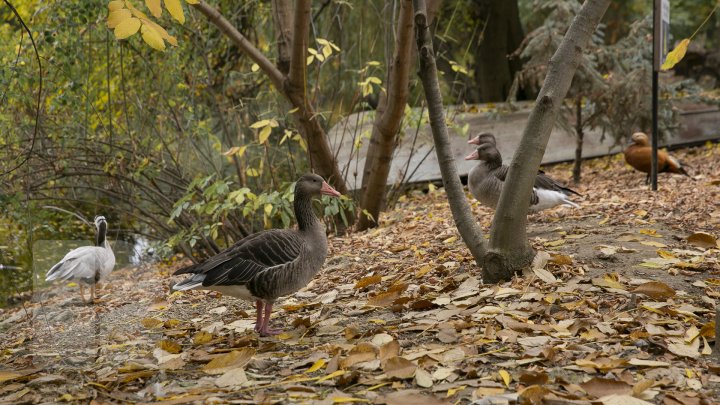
467, 226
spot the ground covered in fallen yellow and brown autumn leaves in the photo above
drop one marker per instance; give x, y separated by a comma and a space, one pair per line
617, 309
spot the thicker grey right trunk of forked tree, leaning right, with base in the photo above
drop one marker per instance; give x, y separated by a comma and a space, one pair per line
508, 237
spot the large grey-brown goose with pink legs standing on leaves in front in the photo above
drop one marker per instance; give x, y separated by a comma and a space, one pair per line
267, 265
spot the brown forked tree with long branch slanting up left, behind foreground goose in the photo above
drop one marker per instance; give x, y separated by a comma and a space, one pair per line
291, 86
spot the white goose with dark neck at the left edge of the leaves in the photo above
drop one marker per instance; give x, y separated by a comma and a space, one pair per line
86, 264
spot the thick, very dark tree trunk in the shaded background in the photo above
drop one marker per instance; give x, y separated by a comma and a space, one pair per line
501, 36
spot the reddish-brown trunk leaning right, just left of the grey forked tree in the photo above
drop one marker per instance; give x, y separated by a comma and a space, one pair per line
387, 122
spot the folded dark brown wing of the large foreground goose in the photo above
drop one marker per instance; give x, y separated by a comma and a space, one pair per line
250, 256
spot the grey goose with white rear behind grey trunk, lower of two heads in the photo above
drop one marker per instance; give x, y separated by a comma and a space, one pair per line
486, 180
